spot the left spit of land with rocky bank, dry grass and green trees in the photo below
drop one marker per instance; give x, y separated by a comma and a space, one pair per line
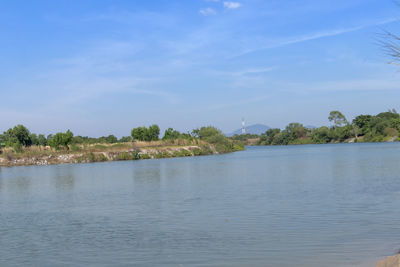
18, 146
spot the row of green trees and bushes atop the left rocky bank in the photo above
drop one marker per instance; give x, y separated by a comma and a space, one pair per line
19, 137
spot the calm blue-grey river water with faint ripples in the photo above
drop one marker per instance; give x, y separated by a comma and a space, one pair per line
326, 205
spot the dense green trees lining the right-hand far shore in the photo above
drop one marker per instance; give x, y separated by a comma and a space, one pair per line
364, 128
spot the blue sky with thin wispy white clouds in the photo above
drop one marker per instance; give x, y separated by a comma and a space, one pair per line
102, 67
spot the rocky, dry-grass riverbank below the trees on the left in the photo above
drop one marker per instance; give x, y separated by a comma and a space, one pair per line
36, 155
